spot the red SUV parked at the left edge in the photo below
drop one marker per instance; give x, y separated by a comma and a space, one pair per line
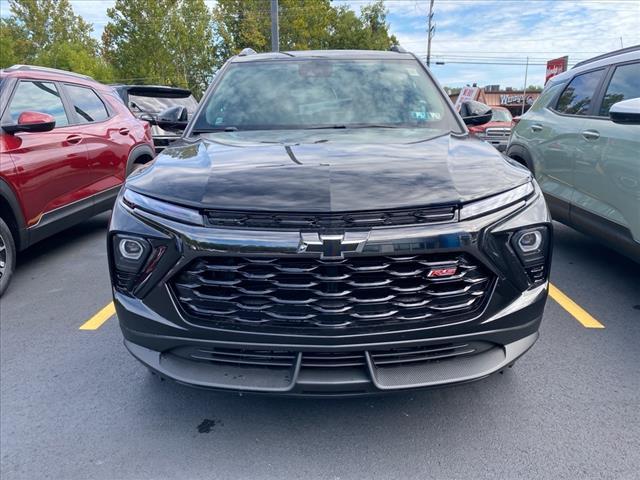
67, 143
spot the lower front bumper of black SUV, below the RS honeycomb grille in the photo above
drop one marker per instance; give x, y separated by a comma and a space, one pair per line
505, 346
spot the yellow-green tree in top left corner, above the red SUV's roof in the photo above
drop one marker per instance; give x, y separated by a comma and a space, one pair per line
48, 33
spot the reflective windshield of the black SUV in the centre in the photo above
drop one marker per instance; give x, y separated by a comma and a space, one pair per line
307, 94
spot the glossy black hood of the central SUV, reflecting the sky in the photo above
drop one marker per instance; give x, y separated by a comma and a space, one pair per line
328, 177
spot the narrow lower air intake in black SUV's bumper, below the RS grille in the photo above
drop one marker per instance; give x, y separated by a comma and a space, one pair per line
275, 359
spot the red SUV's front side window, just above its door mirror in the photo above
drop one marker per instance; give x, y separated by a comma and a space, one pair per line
40, 97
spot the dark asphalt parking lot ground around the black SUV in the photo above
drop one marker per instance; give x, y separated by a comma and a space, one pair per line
75, 404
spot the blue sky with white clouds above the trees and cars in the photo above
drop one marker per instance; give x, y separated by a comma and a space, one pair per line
486, 31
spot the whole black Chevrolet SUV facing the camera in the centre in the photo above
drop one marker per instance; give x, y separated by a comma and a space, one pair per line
327, 226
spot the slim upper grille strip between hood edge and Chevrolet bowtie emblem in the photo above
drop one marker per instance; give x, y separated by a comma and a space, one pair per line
328, 221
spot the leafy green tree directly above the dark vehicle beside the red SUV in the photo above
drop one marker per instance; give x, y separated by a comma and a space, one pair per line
161, 41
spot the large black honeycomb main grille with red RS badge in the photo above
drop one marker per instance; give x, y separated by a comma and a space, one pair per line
356, 294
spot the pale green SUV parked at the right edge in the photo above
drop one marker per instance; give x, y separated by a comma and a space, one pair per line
581, 139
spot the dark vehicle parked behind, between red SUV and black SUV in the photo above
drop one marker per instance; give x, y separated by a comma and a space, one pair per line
150, 102
